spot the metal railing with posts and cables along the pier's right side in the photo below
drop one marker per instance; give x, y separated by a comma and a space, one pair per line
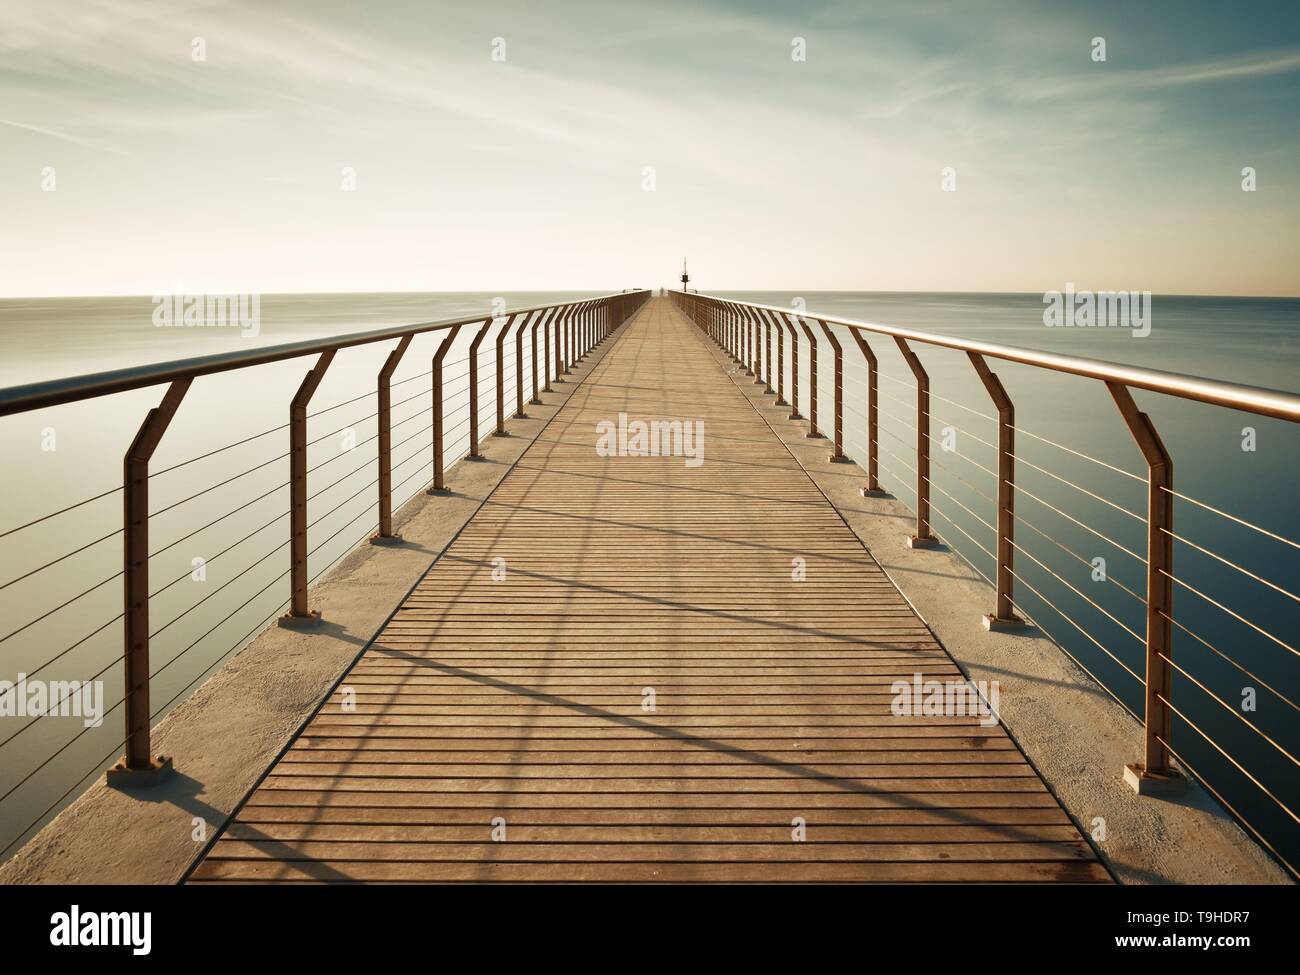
747, 332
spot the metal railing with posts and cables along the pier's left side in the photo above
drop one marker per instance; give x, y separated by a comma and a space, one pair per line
575, 328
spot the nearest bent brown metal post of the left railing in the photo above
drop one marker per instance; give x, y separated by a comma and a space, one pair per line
138, 766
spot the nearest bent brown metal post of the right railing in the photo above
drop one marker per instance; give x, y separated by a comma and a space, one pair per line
1155, 775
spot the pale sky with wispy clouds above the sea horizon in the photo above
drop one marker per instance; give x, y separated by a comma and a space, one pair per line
577, 145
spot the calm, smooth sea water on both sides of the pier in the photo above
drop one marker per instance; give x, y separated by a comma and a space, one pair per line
241, 528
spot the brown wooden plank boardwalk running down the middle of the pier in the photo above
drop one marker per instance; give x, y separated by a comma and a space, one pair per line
504, 729
